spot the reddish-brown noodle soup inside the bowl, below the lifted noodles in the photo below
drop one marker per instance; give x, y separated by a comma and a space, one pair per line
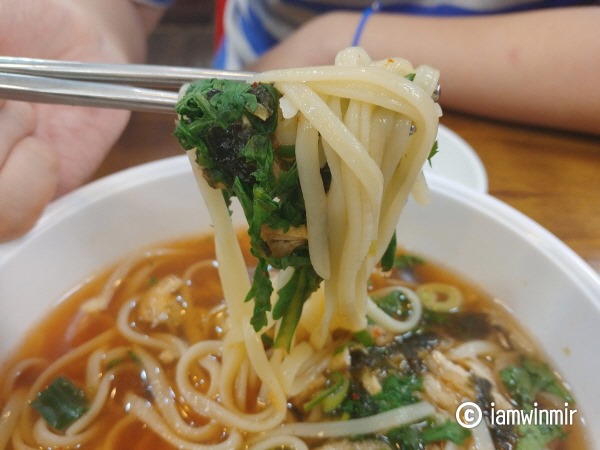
144, 342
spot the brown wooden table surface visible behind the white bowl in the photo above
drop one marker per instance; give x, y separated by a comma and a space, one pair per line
552, 177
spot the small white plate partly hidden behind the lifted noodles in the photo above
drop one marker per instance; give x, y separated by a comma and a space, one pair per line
457, 161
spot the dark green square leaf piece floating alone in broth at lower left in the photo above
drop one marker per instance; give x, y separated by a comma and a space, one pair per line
61, 403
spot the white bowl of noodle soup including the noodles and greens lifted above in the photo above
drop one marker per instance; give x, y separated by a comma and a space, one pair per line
151, 309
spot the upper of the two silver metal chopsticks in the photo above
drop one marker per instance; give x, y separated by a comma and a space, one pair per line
147, 75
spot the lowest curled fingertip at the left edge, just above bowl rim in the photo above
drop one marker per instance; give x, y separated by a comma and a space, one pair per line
28, 181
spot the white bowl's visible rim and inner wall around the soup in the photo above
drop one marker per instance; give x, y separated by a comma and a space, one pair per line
555, 295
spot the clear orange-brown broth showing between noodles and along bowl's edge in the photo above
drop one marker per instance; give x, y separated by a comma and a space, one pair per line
66, 327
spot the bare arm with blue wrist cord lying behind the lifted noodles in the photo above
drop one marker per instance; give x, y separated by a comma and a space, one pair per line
538, 67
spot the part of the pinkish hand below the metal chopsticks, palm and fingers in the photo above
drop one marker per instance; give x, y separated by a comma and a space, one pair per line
45, 151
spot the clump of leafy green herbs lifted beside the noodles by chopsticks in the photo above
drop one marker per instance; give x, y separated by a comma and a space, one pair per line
230, 125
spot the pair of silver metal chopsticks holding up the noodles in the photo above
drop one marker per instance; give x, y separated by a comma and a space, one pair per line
100, 85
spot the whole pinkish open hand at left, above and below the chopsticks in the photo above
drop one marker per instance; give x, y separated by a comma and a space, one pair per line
47, 150
